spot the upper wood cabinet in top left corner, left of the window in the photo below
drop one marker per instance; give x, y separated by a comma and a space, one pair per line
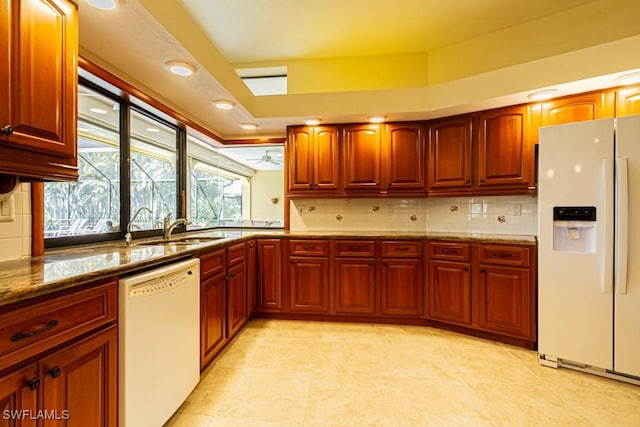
38, 82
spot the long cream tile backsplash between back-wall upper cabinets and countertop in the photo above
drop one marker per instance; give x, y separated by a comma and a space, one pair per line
498, 214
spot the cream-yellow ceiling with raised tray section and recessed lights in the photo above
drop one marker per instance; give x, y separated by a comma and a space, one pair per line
217, 36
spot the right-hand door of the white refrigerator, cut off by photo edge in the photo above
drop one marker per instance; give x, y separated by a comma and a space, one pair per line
627, 289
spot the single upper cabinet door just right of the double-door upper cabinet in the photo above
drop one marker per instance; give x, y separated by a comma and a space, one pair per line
361, 157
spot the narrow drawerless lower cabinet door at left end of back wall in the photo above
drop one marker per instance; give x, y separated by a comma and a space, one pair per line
269, 275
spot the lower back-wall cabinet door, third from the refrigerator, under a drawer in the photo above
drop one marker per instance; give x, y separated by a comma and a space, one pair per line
401, 287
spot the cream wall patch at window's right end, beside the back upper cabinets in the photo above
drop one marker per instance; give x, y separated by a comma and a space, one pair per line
266, 185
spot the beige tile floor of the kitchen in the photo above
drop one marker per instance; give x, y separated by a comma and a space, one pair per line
286, 373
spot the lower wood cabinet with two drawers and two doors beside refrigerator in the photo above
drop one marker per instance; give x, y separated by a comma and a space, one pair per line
483, 286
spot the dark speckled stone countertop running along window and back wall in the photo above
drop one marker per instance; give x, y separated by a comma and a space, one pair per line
63, 268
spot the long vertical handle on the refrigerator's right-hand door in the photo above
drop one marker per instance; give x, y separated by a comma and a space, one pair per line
622, 225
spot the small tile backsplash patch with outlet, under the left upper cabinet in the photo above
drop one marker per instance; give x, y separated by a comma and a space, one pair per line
15, 236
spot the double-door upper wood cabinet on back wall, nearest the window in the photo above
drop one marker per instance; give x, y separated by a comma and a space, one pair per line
313, 159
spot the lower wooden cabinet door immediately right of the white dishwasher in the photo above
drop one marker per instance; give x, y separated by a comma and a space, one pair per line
212, 317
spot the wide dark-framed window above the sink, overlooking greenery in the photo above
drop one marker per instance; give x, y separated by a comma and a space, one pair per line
134, 159
